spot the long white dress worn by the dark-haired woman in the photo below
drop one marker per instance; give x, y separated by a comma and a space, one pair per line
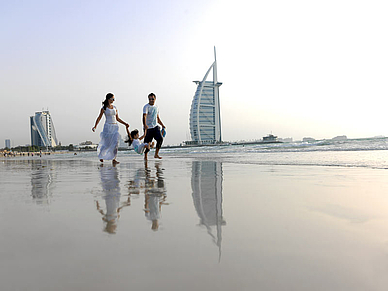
109, 144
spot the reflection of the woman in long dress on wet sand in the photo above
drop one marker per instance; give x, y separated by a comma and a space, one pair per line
111, 189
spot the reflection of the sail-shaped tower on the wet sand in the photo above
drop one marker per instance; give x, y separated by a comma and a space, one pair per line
206, 183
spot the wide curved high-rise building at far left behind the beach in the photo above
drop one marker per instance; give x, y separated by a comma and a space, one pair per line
42, 130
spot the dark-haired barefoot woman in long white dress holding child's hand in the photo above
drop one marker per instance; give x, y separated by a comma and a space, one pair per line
108, 146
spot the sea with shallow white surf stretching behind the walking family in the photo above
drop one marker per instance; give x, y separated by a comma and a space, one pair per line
362, 152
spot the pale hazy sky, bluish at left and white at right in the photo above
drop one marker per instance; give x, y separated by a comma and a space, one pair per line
293, 68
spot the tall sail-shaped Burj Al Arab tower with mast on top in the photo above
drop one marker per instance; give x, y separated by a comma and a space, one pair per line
205, 119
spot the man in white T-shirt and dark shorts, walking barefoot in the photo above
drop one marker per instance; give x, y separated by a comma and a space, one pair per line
151, 120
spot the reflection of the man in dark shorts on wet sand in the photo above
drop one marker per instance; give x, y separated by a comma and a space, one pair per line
155, 194
